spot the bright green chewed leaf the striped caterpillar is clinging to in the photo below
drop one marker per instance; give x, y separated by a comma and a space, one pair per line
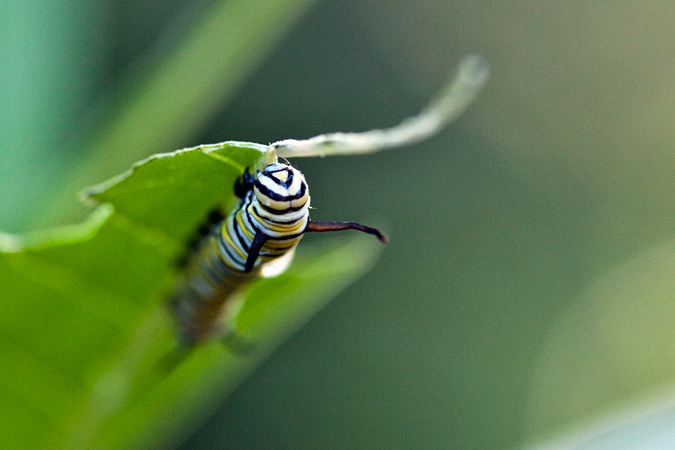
86, 345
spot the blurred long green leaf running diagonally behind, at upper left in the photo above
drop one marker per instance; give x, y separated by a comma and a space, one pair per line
171, 100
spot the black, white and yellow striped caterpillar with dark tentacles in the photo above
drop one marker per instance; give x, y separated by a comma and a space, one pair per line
269, 221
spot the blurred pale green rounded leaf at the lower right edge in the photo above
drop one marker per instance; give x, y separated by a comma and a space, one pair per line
612, 346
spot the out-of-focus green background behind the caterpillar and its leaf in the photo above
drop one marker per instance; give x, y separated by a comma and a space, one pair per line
528, 287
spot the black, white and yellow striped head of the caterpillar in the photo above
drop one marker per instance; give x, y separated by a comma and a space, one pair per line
281, 189
